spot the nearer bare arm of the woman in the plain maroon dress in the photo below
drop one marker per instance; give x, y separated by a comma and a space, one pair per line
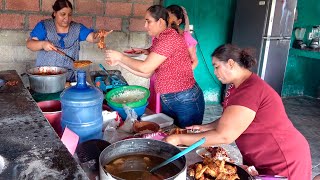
233, 122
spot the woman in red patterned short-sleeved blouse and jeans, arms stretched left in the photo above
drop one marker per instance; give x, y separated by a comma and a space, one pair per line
169, 59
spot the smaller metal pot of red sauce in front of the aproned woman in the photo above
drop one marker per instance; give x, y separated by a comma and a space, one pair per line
47, 79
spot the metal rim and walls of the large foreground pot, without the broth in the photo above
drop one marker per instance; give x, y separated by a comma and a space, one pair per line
140, 146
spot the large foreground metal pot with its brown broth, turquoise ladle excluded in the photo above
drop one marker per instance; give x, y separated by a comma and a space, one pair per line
132, 159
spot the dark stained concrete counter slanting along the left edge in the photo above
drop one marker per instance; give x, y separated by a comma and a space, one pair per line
29, 146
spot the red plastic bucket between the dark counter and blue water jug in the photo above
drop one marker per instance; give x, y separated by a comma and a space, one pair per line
52, 111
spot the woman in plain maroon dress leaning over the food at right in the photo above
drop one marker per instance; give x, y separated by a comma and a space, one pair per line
254, 117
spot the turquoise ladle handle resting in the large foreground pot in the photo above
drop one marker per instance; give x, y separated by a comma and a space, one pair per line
185, 151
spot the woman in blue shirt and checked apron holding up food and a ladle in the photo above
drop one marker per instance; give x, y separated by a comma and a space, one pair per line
60, 33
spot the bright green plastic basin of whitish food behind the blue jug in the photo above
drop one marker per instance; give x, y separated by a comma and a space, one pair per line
120, 90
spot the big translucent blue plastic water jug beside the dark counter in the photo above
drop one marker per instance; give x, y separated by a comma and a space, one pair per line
82, 109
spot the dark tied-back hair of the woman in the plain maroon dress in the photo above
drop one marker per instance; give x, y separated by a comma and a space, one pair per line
244, 57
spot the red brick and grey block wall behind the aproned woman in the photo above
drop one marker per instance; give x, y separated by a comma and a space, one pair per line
125, 17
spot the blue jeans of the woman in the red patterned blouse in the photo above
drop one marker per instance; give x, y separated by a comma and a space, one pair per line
185, 107
